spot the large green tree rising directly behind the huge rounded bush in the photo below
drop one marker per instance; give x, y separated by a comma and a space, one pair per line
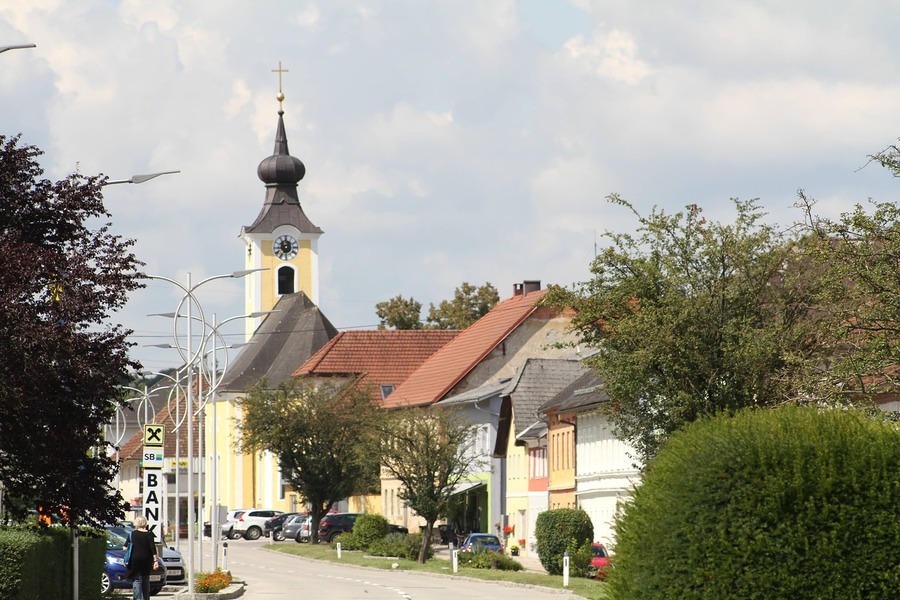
692, 318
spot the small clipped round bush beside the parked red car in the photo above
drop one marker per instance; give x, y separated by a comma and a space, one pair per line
558, 531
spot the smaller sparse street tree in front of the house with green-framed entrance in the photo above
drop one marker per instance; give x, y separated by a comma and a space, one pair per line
428, 450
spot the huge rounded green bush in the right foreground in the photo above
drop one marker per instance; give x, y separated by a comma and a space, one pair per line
785, 503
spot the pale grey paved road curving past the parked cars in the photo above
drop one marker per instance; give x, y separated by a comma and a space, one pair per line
276, 576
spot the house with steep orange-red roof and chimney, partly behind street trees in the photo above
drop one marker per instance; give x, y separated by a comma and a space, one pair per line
470, 372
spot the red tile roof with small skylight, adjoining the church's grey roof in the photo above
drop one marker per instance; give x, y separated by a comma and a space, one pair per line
376, 357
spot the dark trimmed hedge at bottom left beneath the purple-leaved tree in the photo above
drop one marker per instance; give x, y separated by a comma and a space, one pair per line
37, 563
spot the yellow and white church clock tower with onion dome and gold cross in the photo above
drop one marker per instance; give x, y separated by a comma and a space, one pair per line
282, 240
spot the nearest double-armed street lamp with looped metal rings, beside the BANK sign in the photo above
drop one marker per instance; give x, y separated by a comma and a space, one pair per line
190, 356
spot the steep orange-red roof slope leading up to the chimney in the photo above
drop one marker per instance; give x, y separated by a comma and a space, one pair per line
437, 376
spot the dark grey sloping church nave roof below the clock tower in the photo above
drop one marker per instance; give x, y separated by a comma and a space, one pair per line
283, 342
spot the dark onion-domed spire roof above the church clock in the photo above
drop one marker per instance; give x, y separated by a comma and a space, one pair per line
281, 172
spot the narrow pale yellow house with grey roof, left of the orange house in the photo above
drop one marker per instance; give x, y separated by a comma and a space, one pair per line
522, 439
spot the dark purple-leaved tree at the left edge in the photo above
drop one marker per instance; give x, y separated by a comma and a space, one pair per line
62, 273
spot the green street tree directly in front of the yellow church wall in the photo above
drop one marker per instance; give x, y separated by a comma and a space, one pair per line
324, 438
